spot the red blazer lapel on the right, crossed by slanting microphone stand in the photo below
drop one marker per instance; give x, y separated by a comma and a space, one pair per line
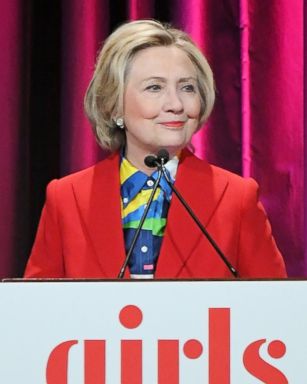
203, 191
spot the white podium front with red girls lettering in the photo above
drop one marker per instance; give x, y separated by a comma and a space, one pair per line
153, 332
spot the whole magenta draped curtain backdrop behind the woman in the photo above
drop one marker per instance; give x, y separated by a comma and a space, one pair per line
256, 50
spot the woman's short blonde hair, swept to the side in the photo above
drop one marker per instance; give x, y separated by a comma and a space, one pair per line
104, 97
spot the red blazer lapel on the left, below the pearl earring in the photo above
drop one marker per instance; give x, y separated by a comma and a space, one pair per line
99, 204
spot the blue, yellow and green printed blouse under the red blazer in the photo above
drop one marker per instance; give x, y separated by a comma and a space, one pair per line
136, 188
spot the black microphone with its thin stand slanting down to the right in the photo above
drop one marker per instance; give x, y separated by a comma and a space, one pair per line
159, 160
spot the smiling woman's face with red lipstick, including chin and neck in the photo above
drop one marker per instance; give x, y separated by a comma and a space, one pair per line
161, 102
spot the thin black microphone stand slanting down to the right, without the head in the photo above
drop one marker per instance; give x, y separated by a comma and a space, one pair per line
160, 165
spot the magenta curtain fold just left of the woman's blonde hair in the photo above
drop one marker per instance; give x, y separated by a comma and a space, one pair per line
84, 25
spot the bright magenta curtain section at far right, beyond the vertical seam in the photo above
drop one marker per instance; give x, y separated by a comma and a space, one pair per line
277, 129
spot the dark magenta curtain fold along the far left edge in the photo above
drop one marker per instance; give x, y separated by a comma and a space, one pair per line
13, 147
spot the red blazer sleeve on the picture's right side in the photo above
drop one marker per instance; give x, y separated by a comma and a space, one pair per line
258, 254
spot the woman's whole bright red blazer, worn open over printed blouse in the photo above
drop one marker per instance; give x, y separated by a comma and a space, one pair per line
80, 231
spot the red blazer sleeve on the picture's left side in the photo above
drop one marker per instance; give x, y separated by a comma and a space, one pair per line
46, 258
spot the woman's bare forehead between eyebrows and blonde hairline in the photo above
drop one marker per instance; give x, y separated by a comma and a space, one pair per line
168, 61
